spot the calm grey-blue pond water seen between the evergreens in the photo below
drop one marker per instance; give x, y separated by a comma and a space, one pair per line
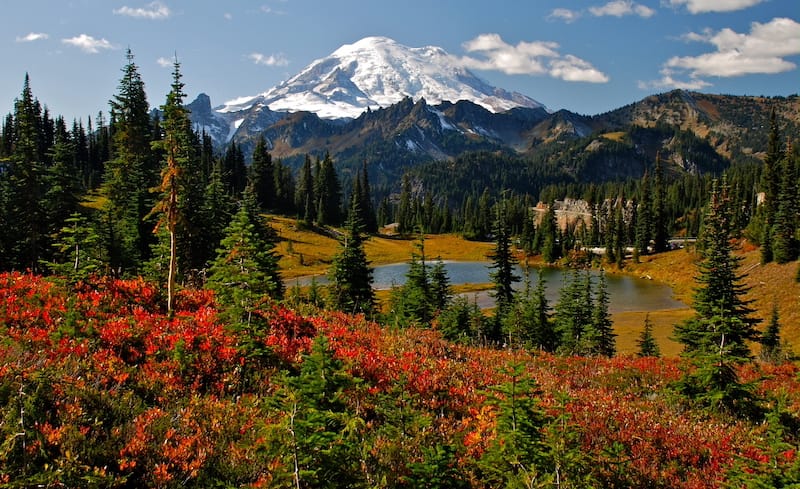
627, 293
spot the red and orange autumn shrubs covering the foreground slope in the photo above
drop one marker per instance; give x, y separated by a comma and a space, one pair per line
100, 387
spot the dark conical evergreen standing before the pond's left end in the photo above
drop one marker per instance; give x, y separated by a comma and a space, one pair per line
350, 274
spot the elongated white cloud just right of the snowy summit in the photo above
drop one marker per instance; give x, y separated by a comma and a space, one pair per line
528, 58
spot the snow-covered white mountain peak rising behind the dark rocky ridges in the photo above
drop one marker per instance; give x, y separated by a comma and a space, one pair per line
378, 72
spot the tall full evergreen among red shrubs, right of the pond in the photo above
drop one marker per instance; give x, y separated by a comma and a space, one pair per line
716, 339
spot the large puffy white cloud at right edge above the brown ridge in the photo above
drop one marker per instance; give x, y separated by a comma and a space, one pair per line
761, 51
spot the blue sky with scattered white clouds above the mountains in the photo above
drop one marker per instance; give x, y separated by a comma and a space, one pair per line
584, 56
